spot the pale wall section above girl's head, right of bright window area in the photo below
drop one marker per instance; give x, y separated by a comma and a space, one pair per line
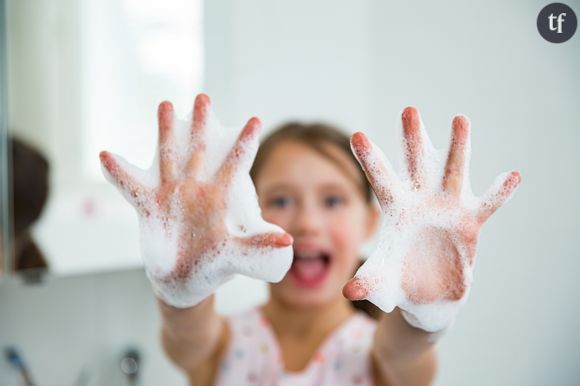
288, 60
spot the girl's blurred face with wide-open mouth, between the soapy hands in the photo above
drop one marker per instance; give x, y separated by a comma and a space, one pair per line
322, 206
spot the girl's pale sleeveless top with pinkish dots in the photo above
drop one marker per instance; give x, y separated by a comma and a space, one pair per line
253, 357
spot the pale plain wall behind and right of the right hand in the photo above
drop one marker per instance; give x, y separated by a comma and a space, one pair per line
486, 59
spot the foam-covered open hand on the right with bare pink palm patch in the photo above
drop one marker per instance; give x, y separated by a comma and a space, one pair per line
424, 260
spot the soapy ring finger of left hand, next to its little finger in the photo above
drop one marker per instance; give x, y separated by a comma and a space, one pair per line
167, 156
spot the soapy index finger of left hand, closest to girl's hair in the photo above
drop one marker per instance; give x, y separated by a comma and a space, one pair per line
242, 153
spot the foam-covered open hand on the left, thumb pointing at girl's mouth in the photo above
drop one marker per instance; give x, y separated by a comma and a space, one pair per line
199, 216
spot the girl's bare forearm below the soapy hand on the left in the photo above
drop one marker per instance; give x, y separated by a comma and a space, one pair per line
191, 335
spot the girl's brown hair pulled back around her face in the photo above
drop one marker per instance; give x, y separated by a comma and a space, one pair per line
318, 137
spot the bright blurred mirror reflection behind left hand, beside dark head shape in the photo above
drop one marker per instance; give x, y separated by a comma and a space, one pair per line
88, 75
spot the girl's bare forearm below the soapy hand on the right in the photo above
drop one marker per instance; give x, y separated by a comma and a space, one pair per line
404, 355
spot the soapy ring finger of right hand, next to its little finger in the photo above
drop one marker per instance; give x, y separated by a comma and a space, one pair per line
458, 157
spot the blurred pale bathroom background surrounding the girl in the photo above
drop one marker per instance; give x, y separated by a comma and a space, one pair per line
82, 76
